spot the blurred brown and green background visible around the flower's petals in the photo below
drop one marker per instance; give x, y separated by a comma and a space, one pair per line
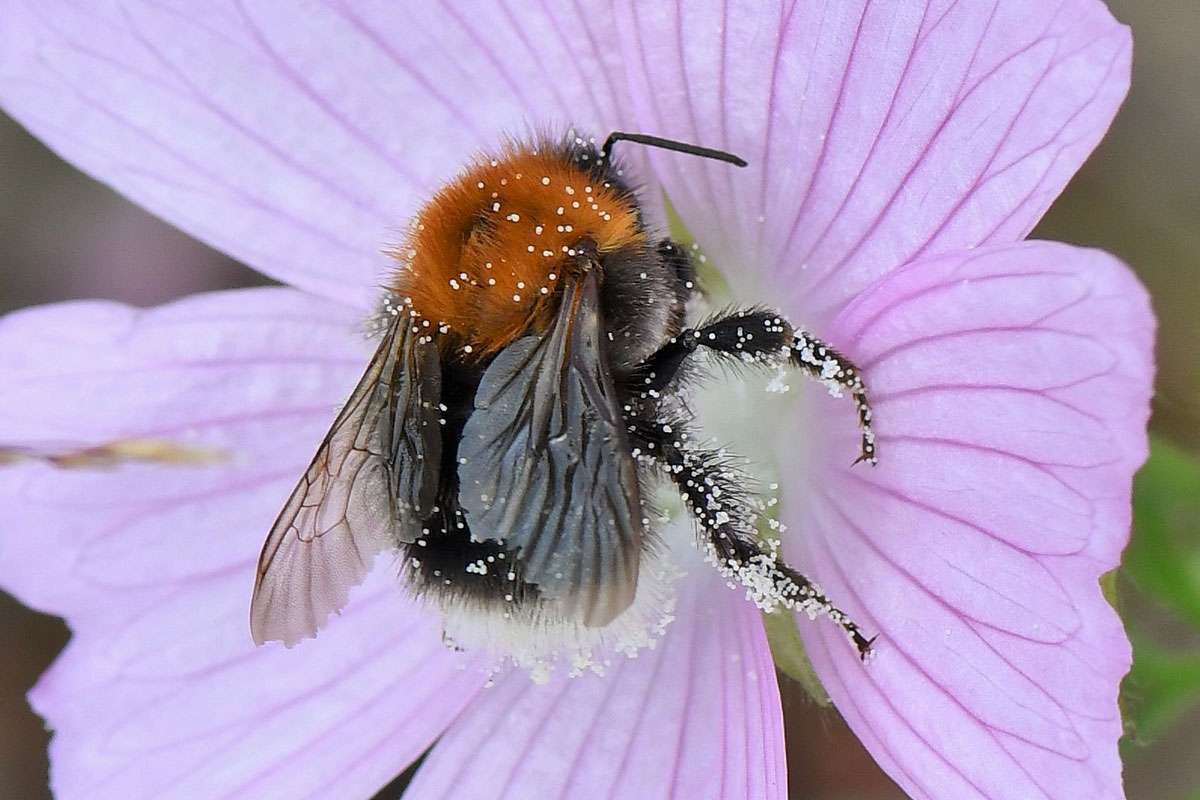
63, 236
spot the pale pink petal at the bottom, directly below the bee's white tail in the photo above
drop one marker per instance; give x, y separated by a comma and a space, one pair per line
699, 717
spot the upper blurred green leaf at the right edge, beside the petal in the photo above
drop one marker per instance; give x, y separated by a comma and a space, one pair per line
1163, 560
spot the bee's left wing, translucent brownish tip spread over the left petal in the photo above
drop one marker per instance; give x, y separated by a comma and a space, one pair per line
364, 492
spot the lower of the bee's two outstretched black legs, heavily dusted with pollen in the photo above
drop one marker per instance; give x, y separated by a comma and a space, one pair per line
715, 495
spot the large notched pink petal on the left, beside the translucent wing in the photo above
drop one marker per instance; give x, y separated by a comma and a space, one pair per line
161, 691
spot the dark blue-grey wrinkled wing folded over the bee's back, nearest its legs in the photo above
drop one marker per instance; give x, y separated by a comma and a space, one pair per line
545, 466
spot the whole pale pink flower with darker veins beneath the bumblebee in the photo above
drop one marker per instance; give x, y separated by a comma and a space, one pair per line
899, 154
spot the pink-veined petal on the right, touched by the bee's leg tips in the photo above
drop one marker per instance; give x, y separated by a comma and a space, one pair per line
1011, 390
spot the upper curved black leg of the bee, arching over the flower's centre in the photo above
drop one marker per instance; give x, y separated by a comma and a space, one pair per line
764, 338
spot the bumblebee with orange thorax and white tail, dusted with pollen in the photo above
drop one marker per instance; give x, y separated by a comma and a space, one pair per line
527, 387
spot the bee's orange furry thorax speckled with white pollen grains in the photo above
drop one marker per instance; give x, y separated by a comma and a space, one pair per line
488, 256
